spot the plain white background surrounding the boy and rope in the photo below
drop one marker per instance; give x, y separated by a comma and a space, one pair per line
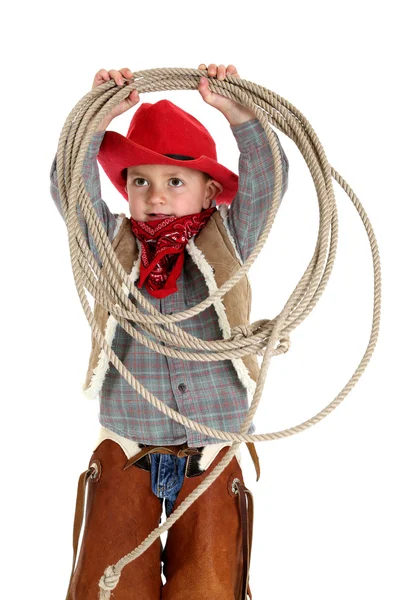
326, 506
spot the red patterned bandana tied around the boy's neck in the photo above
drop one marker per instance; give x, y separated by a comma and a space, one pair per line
163, 244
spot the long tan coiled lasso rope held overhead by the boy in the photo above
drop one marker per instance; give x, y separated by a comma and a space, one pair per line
260, 337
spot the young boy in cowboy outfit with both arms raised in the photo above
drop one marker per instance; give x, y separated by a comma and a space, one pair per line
178, 248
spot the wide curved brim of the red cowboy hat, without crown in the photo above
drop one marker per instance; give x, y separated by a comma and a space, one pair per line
117, 153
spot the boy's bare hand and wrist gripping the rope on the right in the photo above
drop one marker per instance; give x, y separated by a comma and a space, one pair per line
235, 113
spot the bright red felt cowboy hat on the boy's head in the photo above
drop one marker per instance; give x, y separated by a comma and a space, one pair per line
164, 134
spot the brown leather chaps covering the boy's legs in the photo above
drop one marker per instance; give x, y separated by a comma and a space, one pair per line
207, 552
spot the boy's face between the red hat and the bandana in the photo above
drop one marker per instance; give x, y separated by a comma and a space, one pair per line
156, 190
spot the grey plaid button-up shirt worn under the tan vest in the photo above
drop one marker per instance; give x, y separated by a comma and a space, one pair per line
208, 392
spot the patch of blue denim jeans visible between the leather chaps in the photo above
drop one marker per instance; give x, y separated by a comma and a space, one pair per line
167, 477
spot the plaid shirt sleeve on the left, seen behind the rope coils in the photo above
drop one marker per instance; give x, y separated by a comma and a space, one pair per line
91, 178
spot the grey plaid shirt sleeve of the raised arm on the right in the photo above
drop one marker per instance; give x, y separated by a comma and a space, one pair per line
248, 212
